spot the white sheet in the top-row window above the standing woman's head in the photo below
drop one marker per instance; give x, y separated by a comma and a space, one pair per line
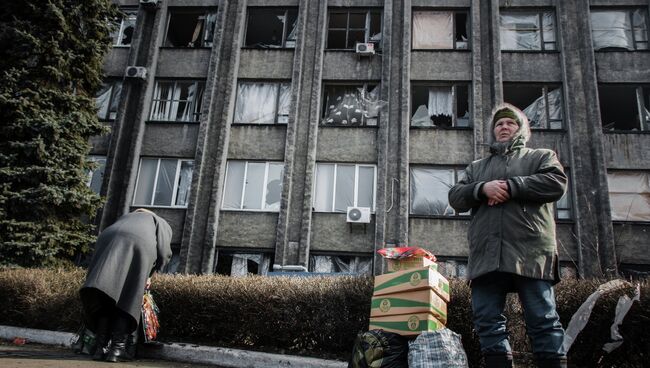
520, 32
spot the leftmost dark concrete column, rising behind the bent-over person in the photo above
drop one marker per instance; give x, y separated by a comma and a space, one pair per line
128, 129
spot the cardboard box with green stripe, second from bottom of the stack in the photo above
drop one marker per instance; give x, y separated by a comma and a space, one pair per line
410, 302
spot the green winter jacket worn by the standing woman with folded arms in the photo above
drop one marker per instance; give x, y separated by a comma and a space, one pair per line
516, 236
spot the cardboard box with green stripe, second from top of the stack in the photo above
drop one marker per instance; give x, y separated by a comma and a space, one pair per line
411, 280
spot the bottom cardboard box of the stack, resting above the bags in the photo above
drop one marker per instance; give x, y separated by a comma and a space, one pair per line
406, 324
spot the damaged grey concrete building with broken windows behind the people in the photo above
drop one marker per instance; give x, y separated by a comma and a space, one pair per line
307, 134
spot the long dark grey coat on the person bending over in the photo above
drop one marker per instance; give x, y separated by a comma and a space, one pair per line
126, 254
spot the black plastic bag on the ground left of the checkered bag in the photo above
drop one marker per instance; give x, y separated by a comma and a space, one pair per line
379, 349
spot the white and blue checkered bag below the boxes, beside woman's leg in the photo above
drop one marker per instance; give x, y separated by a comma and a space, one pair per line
438, 349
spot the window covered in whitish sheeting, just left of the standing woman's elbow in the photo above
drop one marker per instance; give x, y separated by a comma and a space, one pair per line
429, 190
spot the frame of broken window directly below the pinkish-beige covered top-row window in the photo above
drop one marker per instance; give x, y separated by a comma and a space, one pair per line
454, 105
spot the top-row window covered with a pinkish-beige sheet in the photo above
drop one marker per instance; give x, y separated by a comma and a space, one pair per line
440, 30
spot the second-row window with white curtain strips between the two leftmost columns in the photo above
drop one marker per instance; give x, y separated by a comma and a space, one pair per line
177, 101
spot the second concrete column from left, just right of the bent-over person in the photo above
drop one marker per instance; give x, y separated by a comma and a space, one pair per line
202, 218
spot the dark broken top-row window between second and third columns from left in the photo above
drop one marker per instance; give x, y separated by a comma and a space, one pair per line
271, 28
